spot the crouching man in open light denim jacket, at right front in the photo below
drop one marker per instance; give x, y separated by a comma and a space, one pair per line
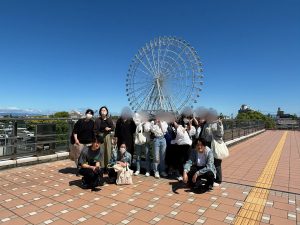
200, 165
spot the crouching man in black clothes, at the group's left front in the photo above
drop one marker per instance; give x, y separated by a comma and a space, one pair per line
89, 164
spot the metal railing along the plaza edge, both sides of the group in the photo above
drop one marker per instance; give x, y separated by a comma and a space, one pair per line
41, 136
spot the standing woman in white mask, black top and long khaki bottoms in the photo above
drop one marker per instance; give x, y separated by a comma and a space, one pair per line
103, 127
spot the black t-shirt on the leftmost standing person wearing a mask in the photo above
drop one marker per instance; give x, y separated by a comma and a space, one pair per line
84, 130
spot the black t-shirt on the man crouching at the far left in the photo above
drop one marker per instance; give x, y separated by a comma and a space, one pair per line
90, 157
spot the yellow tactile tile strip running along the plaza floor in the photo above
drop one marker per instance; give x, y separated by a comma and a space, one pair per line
252, 210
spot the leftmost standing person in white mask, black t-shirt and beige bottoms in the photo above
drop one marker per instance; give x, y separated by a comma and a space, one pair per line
82, 135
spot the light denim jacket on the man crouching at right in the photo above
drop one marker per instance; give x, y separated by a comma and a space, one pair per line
209, 162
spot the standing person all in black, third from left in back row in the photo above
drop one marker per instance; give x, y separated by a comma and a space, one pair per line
125, 130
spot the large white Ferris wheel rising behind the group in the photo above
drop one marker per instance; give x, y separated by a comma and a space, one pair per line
165, 75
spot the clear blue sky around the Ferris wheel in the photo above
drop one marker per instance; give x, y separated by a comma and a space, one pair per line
61, 55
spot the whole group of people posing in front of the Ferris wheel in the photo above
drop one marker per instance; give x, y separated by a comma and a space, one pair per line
170, 145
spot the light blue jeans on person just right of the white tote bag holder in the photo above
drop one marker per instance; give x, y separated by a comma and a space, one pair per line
160, 146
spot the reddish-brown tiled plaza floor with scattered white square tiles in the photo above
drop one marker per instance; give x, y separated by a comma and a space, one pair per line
50, 194
